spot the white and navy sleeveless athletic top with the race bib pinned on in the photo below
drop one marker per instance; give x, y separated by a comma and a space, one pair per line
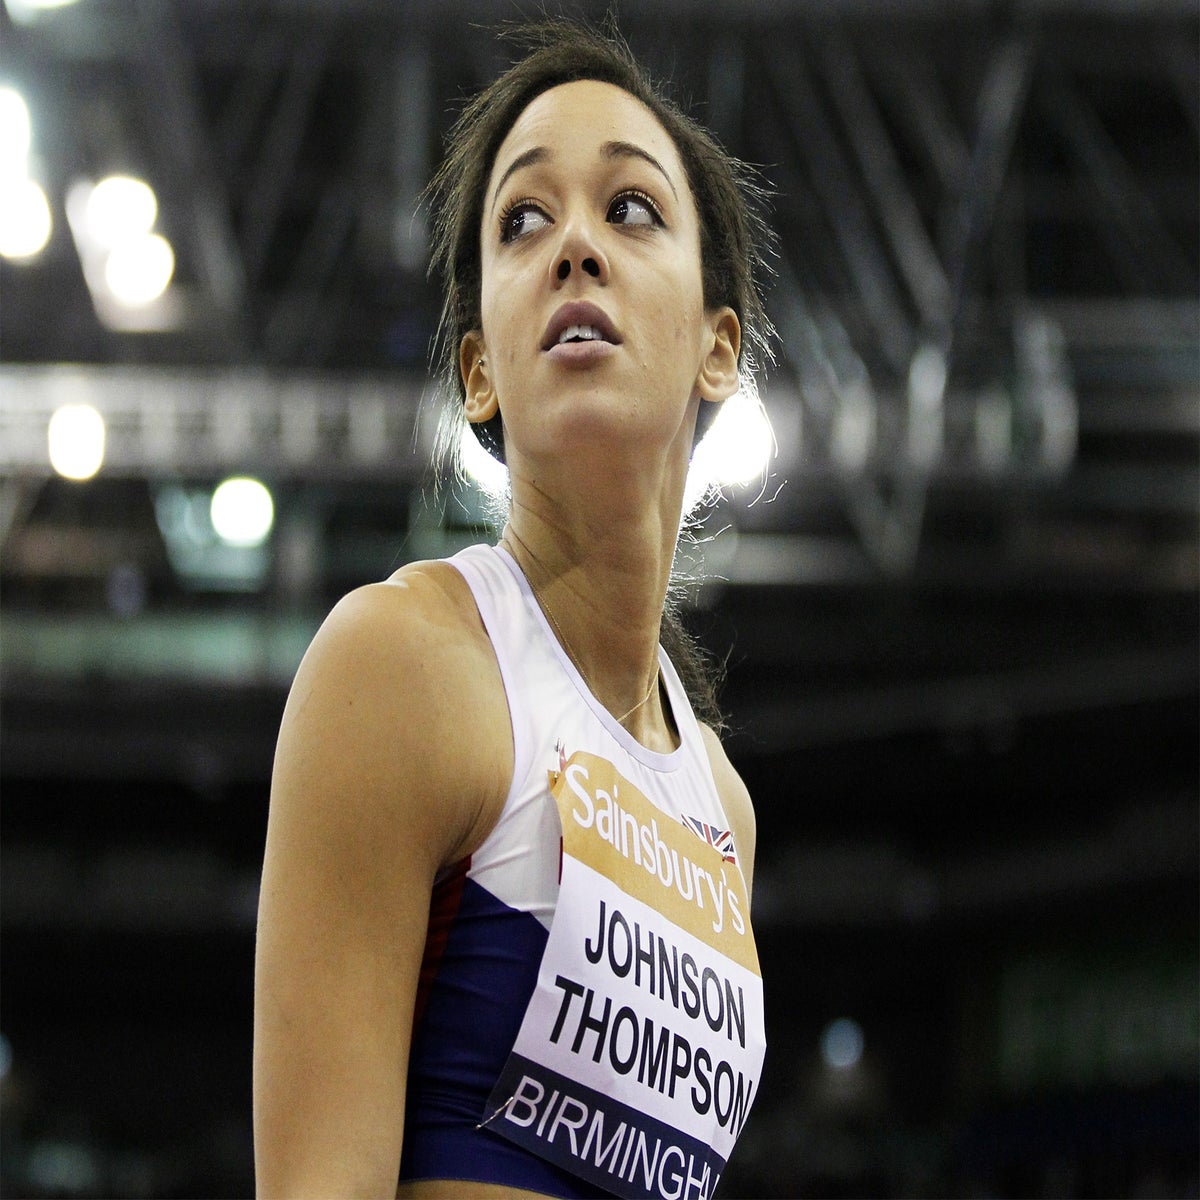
591, 1012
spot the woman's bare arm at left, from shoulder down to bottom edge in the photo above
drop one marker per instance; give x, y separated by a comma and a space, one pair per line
370, 795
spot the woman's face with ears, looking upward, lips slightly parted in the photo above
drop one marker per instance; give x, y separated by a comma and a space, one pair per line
595, 331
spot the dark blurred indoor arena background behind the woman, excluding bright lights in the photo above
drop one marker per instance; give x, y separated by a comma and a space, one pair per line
963, 685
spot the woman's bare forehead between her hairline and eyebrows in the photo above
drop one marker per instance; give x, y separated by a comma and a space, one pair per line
579, 118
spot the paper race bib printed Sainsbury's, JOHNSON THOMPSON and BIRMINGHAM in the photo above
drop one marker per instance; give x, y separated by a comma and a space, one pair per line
643, 1047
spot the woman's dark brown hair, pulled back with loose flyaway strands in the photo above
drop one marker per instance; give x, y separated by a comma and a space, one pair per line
733, 231
